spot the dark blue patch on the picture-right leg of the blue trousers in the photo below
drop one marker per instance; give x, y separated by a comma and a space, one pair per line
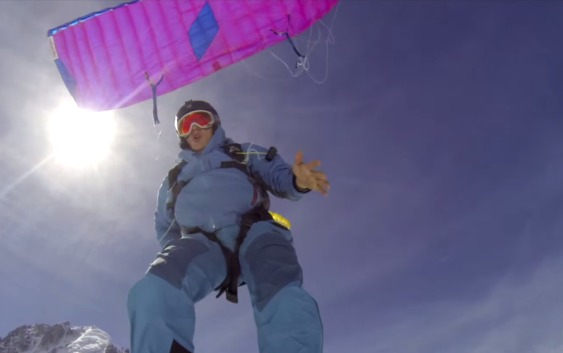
273, 265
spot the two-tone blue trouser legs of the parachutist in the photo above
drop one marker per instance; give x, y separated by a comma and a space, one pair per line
161, 304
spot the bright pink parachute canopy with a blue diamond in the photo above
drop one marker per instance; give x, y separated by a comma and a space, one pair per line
104, 58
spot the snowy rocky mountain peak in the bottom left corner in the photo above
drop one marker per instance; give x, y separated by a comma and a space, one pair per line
59, 338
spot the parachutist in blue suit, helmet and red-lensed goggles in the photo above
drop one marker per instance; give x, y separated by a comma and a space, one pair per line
201, 209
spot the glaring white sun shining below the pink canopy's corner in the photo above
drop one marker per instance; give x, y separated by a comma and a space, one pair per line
80, 137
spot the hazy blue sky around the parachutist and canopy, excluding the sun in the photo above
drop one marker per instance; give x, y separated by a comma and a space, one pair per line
440, 127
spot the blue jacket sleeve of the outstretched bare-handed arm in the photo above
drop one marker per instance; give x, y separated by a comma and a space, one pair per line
276, 174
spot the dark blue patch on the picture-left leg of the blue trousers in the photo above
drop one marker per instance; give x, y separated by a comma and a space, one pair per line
172, 263
